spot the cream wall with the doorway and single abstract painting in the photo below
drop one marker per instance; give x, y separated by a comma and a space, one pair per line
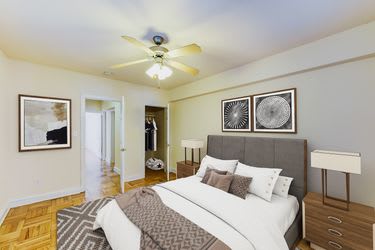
36, 173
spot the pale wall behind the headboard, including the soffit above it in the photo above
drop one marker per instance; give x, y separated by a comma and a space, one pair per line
334, 100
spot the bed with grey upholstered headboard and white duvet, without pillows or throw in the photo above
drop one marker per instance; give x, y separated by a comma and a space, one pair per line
252, 223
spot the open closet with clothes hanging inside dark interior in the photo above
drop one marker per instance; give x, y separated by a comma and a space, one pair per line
156, 144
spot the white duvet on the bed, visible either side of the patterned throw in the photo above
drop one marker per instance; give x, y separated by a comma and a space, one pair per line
252, 223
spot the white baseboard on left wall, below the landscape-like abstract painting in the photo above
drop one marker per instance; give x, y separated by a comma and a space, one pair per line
44, 197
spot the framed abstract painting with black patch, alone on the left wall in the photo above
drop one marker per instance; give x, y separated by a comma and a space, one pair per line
44, 123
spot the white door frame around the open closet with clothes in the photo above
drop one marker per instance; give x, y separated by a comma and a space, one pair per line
168, 137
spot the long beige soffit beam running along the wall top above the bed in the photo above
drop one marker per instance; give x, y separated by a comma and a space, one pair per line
348, 45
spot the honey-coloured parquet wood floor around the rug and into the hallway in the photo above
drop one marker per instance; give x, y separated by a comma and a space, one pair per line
34, 226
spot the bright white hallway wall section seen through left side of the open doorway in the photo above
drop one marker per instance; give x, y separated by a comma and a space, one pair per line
94, 133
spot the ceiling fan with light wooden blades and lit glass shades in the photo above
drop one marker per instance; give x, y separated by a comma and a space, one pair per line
162, 57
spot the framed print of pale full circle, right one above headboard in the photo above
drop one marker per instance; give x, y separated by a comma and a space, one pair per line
275, 112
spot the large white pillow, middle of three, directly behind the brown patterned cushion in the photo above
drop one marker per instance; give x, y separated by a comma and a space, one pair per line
264, 179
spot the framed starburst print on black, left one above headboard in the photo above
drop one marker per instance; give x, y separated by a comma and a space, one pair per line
236, 115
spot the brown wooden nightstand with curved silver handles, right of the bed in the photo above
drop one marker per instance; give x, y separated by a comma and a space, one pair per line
331, 228
